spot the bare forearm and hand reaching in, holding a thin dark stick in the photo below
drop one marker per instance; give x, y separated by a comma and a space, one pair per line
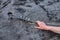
43, 26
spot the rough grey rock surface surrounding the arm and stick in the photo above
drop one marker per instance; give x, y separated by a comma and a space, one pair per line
14, 29
